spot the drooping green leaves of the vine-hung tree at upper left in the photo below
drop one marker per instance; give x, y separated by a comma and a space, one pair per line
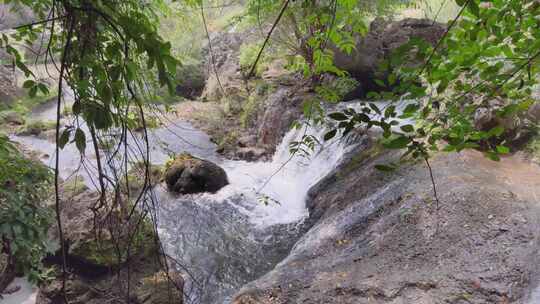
105, 49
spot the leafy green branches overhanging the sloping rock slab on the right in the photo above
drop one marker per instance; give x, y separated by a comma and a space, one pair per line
489, 60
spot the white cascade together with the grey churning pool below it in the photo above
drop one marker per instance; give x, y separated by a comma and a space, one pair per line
230, 238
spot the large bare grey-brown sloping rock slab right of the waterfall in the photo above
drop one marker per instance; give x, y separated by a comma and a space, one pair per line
380, 238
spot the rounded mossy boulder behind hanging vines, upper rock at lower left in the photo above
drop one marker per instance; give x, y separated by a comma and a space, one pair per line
97, 237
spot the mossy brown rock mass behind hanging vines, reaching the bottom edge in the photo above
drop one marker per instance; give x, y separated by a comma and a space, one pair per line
97, 240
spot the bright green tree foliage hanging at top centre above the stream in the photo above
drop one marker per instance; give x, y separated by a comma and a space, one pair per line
311, 29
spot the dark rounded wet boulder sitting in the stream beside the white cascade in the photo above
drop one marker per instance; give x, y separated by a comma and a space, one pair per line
188, 174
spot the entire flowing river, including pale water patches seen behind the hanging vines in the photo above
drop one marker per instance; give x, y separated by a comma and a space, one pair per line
227, 239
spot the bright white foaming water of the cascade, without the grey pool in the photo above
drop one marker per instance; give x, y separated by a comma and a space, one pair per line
284, 181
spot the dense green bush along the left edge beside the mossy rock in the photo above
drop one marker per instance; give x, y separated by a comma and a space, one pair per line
24, 220
